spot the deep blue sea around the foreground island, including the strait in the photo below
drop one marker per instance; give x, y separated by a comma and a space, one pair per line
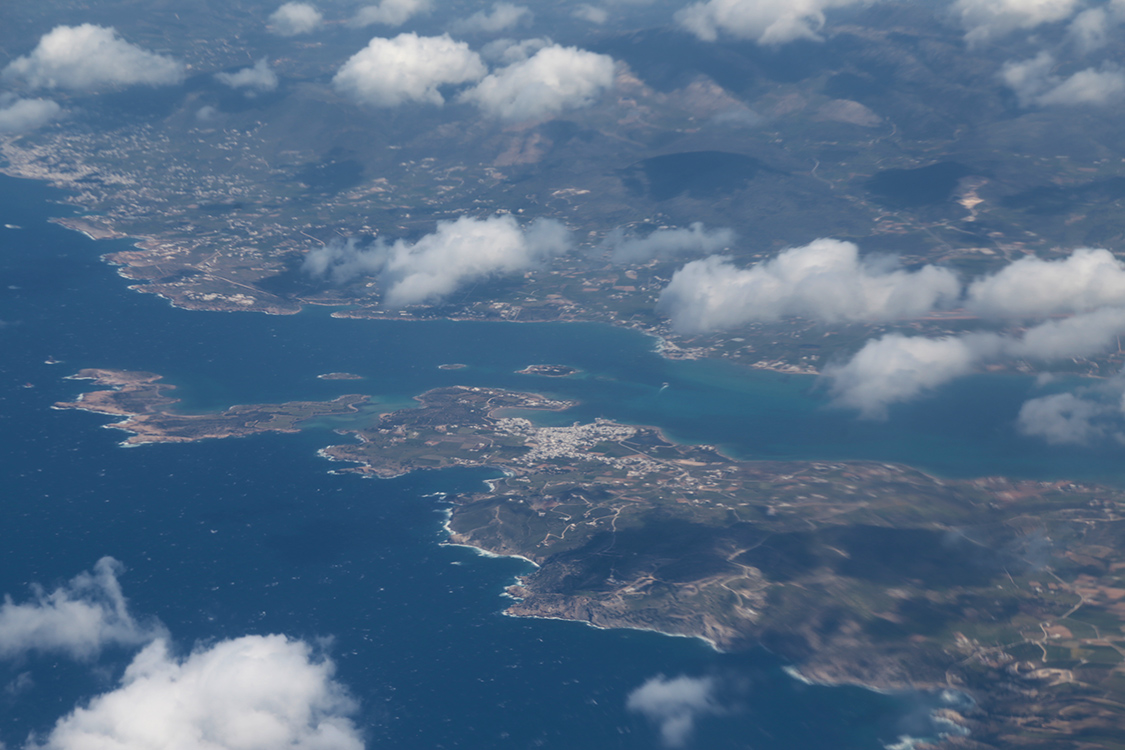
231, 538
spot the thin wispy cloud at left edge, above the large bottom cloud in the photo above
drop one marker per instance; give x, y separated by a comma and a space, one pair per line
79, 619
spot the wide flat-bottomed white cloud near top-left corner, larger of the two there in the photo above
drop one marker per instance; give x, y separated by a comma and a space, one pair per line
89, 58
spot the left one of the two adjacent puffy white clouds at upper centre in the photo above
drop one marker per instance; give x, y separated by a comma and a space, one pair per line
408, 68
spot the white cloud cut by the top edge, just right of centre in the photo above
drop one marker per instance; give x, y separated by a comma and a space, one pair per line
767, 22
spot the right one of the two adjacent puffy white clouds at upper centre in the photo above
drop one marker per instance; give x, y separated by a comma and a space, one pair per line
551, 82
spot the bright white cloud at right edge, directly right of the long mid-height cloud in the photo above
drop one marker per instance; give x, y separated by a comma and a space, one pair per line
1085, 281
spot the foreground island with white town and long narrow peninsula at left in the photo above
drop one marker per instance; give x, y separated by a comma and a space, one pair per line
859, 573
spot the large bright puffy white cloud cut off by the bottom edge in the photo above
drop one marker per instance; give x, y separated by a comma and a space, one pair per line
254, 693
